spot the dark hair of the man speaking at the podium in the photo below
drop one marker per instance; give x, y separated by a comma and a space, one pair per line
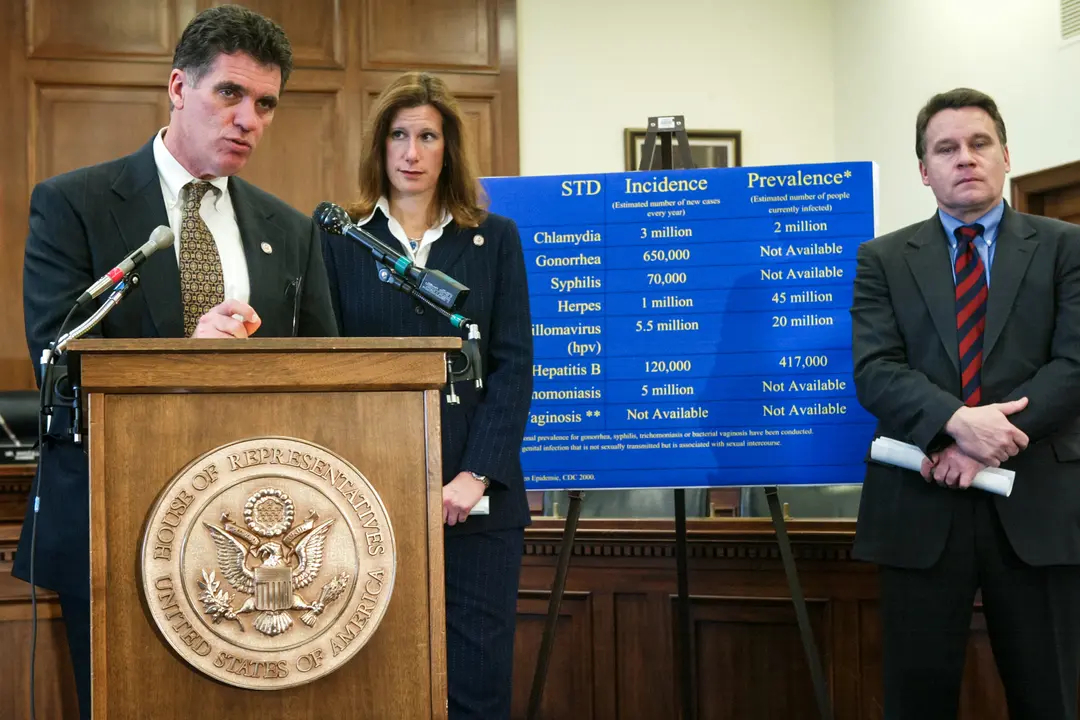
232, 30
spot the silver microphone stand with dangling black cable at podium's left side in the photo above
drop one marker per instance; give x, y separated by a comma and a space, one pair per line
56, 382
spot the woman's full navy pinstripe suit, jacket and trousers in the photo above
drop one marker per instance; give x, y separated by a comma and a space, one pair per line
483, 434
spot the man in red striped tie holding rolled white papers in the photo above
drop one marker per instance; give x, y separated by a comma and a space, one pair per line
966, 332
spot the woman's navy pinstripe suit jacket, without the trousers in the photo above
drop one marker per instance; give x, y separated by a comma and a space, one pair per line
484, 433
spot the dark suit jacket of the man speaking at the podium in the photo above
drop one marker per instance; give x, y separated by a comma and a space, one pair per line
82, 225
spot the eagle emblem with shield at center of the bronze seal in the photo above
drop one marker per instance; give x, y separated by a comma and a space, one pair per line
271, 562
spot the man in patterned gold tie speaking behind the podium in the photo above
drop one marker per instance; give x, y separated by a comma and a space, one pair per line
244, 261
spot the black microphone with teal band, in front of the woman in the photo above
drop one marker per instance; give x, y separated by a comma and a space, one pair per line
436, 287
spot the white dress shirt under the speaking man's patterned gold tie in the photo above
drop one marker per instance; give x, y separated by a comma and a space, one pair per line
217, 212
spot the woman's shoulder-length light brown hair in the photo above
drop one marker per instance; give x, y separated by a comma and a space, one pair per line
458, 192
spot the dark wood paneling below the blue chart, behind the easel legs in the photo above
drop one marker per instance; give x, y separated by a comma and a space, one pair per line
616, 657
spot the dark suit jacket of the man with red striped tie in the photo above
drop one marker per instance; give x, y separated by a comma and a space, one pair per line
907, 372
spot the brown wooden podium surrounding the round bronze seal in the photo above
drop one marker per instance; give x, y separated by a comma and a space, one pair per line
155, 407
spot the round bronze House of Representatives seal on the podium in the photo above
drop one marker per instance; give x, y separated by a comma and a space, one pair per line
268, 563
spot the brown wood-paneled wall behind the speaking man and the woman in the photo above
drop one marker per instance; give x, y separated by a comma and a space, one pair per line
84, 81
